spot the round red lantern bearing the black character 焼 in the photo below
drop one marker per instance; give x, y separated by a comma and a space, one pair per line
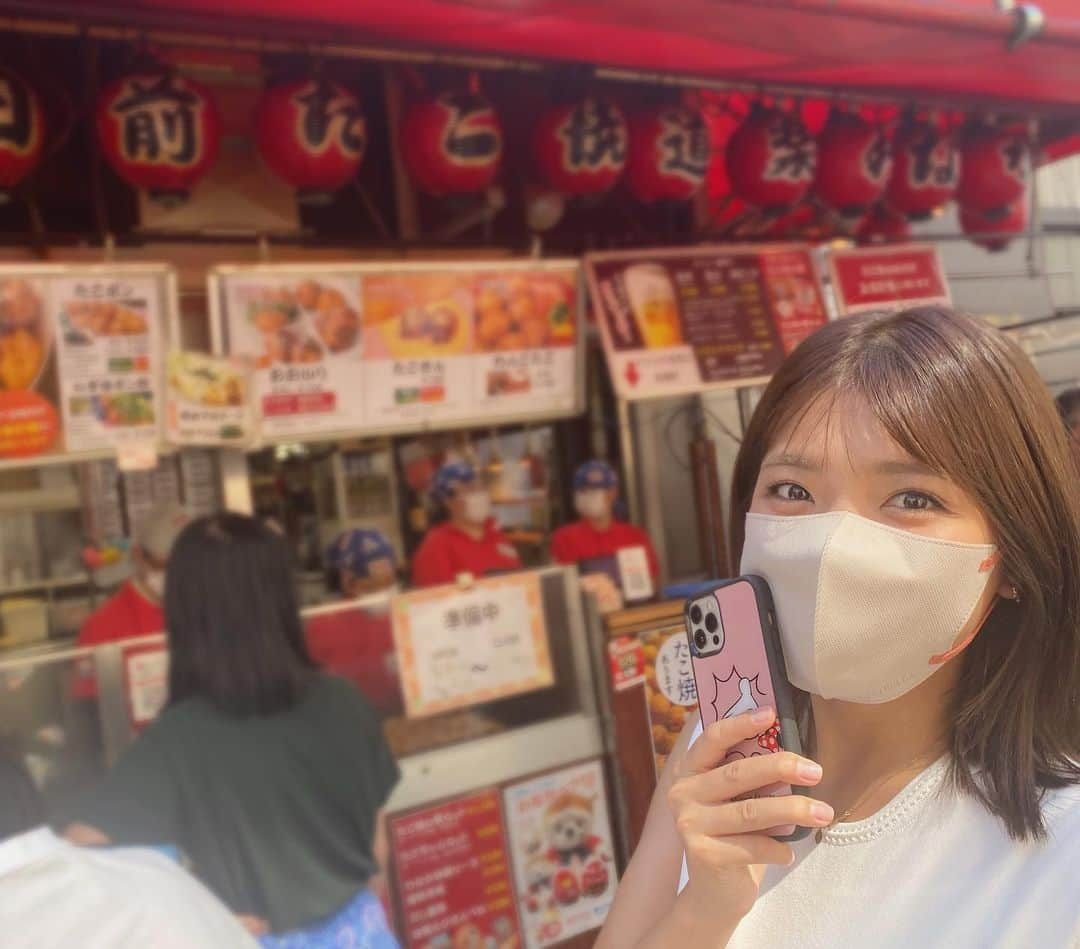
582, 150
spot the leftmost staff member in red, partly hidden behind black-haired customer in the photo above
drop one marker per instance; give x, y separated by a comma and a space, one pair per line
136, 609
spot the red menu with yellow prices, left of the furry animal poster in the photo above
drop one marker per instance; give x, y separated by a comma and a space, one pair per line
452, 874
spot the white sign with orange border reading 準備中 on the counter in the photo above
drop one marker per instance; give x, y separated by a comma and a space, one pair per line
461, 648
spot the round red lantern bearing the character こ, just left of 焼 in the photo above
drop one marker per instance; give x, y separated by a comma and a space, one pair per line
452, 144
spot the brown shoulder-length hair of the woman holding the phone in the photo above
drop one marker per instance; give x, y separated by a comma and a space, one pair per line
962, 398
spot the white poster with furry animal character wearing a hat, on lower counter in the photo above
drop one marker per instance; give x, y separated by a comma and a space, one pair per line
563, 856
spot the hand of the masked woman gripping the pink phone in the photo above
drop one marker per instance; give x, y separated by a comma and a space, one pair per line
724, 832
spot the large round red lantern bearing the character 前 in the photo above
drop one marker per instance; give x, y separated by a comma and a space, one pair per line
160, 132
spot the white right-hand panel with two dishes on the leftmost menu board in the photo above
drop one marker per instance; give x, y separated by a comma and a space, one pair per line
109, 337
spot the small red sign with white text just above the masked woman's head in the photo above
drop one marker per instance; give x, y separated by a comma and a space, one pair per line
887, 278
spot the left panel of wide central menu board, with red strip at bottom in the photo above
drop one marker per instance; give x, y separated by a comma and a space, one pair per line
303, 334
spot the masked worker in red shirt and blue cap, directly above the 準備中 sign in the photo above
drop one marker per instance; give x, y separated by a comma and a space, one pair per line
469, 541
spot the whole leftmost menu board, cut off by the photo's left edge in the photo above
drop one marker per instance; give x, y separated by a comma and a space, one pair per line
80, 358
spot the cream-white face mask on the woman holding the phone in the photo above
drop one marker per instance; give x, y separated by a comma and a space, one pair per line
867, 613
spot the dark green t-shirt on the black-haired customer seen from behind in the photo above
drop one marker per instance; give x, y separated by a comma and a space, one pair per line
277, 814
